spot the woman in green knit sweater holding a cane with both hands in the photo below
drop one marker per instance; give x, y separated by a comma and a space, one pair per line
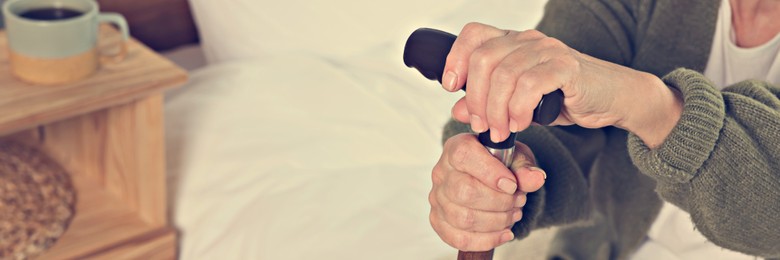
668, 140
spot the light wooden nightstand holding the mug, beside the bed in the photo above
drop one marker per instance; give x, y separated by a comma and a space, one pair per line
107, 131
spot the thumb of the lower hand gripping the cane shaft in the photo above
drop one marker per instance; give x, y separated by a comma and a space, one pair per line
530, 177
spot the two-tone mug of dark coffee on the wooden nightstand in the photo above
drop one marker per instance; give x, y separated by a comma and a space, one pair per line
53, 42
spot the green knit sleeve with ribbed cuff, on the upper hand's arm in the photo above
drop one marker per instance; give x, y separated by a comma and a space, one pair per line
721, 162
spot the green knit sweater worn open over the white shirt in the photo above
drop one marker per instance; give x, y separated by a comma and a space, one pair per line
721, 163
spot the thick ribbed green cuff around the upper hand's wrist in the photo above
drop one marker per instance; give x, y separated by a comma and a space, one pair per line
691, 141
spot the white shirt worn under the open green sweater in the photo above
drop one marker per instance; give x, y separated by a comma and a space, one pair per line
673, 234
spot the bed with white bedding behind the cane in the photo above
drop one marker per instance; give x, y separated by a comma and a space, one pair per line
301, 135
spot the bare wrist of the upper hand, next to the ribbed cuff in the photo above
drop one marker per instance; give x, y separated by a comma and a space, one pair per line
653, 112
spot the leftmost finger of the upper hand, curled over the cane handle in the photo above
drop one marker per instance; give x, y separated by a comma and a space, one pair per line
471, 37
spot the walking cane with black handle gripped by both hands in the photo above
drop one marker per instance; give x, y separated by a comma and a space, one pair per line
426, 50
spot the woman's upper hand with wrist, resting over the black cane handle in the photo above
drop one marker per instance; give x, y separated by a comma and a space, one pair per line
509, 71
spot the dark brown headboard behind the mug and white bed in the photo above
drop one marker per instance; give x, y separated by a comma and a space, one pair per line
160, 24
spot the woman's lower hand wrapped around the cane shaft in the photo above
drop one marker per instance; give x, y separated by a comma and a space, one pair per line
475, 199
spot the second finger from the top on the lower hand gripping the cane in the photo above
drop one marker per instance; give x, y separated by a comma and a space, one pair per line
467, 191
